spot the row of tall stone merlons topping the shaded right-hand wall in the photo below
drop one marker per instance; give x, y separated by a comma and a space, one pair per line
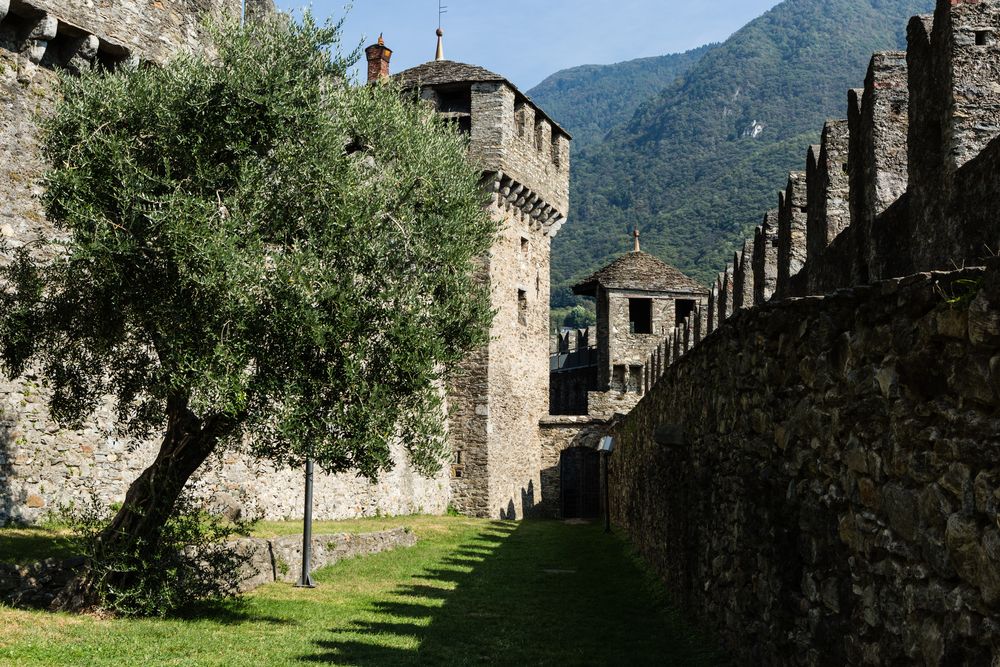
906, 184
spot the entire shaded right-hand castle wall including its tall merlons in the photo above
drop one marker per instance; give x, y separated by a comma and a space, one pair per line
818, 476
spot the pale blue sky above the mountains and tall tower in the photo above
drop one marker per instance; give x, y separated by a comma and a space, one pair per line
526, 40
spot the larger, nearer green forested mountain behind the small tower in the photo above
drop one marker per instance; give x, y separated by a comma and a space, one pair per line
699, 162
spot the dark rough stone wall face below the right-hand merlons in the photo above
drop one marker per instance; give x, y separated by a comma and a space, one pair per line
818, 480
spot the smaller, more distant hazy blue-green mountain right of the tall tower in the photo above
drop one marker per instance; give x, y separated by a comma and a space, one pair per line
591, 99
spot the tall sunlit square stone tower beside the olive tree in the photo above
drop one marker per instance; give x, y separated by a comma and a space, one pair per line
502, 390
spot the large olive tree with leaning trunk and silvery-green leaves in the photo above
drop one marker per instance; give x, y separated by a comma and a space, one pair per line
255, 253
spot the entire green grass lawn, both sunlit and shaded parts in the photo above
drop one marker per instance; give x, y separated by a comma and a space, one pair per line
470, 592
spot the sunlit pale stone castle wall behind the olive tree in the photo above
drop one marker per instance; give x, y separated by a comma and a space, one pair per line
41, 465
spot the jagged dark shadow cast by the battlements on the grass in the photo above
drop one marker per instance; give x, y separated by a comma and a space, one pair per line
537, 592
